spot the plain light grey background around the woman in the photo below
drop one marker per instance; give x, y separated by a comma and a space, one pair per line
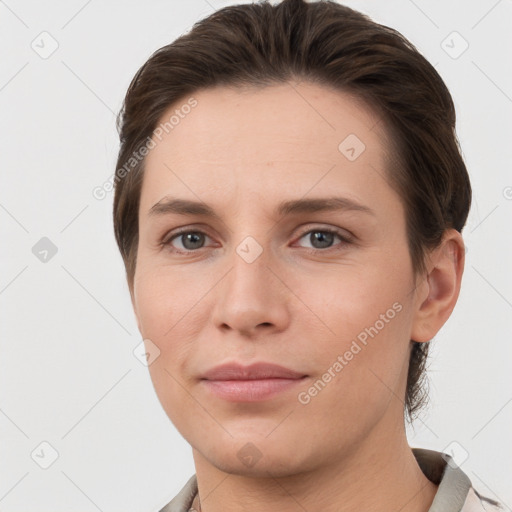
68, 373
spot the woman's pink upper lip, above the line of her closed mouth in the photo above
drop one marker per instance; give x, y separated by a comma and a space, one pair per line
235, 371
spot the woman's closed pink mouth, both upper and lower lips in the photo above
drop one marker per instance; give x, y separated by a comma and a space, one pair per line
259, 381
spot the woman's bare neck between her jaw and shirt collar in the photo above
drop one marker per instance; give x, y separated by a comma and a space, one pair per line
379, 475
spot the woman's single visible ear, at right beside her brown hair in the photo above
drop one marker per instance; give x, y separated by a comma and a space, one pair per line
437, 294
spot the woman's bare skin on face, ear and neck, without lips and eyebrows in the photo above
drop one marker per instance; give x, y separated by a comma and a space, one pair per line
299, 304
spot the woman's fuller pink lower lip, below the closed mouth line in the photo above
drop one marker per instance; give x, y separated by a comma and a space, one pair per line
250, 390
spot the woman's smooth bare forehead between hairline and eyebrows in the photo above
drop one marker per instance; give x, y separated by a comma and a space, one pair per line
272, 141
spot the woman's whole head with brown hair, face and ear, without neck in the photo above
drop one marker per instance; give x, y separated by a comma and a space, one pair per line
256, 107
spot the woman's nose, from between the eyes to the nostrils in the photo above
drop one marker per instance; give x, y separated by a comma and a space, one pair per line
252, 299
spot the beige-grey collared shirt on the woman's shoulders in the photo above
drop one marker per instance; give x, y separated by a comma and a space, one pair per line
454, 494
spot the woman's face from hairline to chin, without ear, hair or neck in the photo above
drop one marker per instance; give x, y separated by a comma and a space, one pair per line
295, 253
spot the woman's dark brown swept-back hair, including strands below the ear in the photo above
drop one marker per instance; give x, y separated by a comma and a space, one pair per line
328, 44
